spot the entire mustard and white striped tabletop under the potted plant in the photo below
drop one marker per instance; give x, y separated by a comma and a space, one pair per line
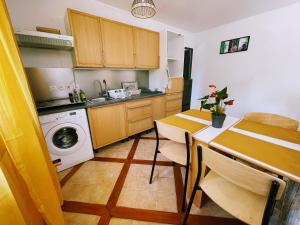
275, 149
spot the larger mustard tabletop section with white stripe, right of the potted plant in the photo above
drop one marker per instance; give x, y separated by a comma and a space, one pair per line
275, 149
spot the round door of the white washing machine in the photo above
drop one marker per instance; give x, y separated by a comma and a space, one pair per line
65, 139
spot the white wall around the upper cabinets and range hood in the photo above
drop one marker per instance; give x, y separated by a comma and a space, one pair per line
31, 13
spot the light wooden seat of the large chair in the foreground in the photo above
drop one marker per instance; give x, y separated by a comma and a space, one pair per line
242, 204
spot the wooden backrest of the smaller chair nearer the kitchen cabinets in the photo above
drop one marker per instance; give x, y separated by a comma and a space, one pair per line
173, 133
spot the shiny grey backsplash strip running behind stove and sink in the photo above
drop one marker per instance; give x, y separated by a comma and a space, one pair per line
54, 83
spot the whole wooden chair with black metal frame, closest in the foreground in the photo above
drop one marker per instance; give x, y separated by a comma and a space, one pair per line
244, 192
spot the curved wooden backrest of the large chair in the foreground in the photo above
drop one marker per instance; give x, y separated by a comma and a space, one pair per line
241, 174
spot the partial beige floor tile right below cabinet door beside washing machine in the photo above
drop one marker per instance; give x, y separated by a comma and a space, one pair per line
116, 150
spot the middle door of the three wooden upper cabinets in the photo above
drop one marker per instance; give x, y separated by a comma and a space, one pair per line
117, 44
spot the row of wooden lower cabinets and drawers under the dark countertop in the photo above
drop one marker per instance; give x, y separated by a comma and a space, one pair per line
112, 123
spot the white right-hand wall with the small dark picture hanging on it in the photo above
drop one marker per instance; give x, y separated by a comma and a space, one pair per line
266, 77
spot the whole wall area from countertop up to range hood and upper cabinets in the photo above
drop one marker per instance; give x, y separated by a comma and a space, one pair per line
47, 68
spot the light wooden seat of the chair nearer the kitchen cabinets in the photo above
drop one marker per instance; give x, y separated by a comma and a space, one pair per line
174, 151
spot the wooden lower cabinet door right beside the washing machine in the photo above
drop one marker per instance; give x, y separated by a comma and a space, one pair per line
107, 124
